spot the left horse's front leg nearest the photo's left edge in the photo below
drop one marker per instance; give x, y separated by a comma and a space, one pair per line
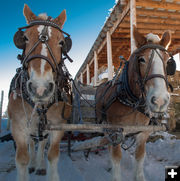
22, 155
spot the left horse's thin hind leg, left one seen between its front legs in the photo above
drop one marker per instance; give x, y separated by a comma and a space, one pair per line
32, 153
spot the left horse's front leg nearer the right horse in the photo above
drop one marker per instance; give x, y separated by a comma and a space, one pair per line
53, 155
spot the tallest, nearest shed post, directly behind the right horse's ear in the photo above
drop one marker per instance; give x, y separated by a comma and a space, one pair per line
132, 22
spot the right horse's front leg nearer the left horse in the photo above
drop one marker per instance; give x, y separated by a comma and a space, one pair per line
116, 156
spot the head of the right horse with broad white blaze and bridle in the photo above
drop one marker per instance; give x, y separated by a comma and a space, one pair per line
151, 58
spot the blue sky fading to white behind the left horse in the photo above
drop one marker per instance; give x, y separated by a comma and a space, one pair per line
85, 19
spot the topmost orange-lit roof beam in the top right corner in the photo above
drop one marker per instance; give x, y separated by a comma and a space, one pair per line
156, 4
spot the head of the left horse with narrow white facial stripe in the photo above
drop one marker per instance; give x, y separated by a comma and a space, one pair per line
42, 43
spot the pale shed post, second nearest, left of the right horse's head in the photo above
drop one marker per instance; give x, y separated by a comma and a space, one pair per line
109, 56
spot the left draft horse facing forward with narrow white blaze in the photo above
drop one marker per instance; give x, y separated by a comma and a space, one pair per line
40, 63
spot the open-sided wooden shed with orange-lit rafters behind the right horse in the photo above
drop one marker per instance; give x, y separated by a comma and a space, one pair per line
115, 38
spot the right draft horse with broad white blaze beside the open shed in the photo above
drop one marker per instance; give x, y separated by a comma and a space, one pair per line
155, 93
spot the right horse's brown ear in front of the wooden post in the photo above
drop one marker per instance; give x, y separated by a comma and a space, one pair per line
140, 40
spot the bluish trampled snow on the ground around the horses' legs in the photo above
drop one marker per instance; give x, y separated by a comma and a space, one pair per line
163, 152
